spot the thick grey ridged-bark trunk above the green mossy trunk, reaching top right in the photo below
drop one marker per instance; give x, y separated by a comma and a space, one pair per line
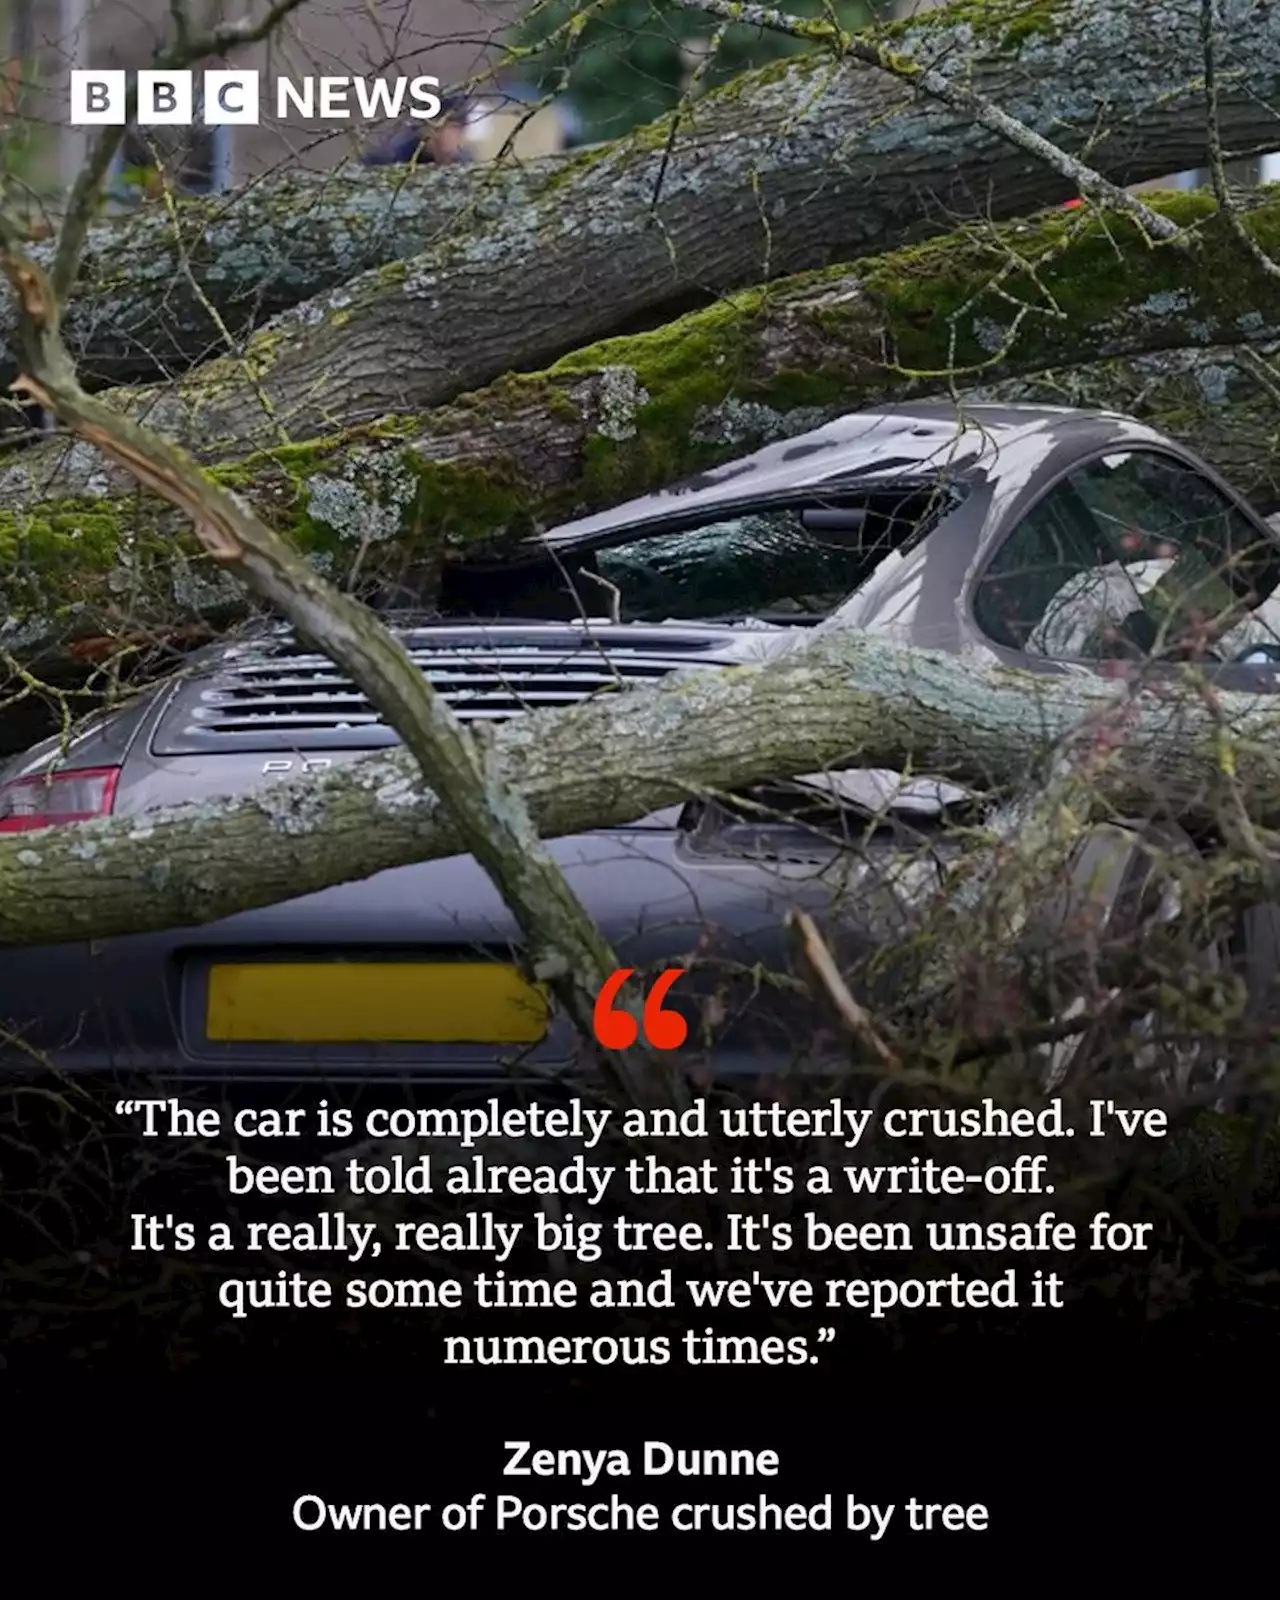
785, 170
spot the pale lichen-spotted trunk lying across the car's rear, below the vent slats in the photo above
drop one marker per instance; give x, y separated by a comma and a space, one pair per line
838, 702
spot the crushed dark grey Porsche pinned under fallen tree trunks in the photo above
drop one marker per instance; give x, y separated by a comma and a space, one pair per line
1049, 540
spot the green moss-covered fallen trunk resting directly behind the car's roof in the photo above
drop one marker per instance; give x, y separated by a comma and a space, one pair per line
87, 554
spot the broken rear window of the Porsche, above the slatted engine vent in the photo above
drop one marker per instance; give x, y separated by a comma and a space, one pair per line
790, 562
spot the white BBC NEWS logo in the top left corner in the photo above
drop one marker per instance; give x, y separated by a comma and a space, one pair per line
234, 98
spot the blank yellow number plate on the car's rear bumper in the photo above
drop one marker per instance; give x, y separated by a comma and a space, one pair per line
374, 1004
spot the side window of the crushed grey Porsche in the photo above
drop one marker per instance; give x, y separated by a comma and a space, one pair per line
1134, 554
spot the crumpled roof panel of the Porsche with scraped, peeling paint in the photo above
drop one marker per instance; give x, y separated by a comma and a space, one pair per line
918, 438
